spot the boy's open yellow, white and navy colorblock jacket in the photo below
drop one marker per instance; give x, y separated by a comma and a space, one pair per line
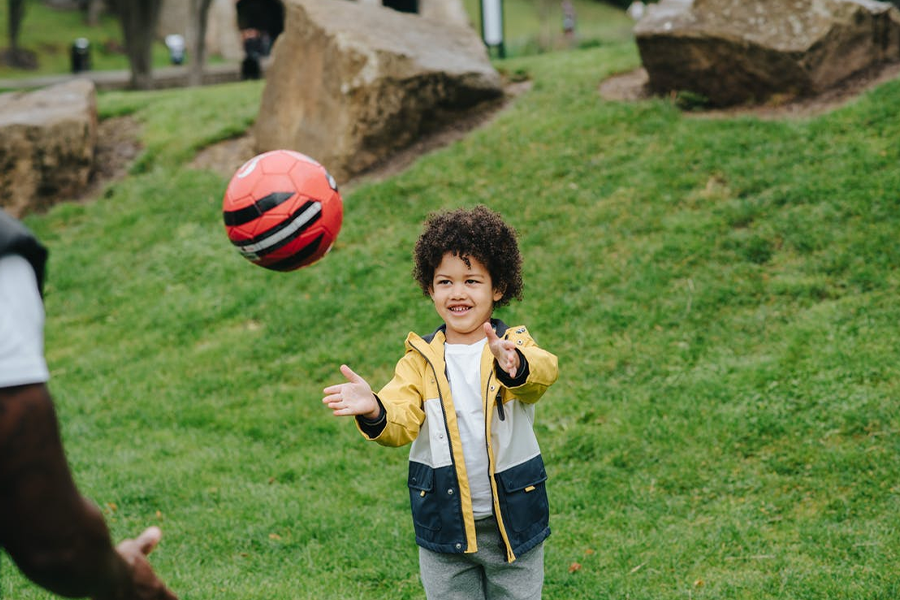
419, 410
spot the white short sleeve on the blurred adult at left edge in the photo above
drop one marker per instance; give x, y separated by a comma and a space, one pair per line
21, 324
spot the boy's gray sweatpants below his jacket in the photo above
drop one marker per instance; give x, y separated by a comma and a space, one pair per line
484, 575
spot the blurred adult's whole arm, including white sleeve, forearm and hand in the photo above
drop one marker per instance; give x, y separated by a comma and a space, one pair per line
56, 537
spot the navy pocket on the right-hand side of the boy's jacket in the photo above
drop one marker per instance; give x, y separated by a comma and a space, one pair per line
523, 496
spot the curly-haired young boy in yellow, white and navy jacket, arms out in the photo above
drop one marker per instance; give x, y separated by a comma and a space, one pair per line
464, 398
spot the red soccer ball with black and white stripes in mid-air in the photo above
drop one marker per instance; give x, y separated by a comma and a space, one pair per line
282, 210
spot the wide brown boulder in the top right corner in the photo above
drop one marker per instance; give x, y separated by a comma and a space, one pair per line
738, 51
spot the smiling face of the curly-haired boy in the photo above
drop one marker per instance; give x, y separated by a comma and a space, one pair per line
464, 297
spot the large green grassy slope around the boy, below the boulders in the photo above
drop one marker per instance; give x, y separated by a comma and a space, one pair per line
722, 296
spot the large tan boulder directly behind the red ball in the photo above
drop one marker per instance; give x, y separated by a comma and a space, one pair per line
350, 84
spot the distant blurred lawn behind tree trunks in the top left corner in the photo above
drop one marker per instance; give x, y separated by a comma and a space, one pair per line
49, 33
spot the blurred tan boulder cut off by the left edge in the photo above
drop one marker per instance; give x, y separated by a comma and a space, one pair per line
47, 141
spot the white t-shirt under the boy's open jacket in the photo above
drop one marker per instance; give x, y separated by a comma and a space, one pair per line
464, 371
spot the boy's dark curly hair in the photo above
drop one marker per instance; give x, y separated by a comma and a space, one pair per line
479, 233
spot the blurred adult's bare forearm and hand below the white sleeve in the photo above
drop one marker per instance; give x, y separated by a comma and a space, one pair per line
55, 536
